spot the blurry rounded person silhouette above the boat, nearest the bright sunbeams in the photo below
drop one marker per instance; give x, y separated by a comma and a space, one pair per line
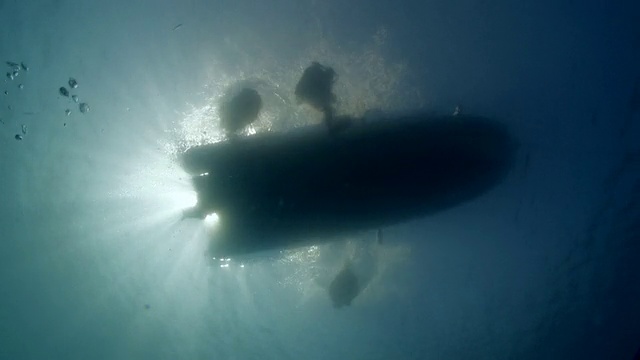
241, 110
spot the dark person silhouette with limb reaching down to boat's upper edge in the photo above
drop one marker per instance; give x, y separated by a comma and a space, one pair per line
316, 89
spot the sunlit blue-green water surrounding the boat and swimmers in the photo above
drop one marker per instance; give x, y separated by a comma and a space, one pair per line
95, 263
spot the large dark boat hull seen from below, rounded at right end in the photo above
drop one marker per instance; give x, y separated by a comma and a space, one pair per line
277, 190
